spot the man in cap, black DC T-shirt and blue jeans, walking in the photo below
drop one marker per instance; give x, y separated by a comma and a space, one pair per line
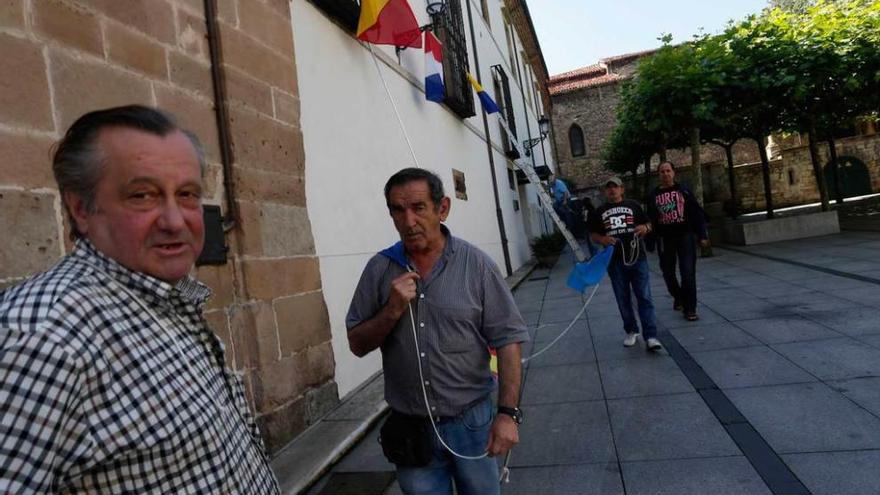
623, 223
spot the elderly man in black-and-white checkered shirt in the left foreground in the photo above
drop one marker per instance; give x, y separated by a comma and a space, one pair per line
110, 379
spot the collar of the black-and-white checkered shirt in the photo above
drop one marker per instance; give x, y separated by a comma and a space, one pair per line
157, 291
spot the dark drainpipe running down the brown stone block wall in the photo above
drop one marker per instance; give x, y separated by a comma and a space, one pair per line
218, 81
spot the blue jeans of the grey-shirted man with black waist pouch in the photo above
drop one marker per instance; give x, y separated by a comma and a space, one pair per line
467, 434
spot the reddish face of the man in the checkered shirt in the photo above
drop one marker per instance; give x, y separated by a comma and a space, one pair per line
148, 203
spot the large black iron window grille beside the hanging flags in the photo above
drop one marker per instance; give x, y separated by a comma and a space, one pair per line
449, 28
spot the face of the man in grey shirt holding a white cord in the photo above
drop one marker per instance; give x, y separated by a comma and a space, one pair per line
416, 217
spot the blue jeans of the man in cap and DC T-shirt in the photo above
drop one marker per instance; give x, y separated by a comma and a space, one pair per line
633, 278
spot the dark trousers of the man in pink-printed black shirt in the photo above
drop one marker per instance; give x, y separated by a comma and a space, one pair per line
682, 248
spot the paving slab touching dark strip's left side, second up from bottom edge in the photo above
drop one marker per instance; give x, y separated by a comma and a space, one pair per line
667, 427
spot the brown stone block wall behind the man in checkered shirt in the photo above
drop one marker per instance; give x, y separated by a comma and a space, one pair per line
61, 58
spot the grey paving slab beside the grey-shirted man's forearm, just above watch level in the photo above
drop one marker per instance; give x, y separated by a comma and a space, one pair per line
568, 383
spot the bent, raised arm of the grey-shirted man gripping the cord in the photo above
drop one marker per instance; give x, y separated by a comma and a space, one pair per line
368, 335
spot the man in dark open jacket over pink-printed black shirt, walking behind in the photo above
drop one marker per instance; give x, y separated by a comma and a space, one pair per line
679, 223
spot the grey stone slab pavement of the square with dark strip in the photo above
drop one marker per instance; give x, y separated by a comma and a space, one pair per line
776, 389
